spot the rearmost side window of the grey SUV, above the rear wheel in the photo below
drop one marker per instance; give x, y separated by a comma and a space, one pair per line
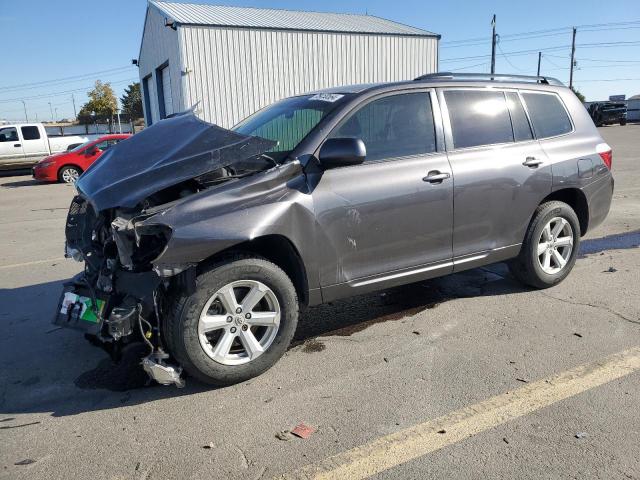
547, 114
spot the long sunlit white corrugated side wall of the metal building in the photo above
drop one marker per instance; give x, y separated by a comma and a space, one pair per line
234, 72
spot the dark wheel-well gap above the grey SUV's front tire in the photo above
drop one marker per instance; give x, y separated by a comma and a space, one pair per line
279, 250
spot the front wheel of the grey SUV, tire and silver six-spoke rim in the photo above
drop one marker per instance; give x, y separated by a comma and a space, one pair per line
237, 324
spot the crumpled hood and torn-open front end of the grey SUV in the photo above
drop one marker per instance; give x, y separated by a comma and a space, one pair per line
122, 297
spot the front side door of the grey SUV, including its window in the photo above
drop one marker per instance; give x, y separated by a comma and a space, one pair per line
391, 213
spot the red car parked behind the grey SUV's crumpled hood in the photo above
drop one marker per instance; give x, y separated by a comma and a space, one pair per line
68, 166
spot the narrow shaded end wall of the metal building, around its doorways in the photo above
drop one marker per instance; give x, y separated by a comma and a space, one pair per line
159, 45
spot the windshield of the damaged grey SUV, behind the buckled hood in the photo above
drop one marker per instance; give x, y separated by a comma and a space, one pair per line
289, 121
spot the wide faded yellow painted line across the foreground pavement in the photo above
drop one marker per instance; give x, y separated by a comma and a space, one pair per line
411, 443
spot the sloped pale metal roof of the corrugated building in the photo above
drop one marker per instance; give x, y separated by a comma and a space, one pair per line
225, 16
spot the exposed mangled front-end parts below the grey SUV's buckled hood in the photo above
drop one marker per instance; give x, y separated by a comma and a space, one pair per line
118, 299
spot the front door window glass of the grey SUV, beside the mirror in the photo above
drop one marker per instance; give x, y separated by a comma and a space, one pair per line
393, 126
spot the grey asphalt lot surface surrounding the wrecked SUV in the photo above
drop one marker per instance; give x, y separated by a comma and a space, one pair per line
467, 376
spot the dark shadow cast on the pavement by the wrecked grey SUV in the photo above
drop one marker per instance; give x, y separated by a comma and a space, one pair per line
51, 370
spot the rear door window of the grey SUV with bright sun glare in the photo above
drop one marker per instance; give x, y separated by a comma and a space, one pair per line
478, 118
